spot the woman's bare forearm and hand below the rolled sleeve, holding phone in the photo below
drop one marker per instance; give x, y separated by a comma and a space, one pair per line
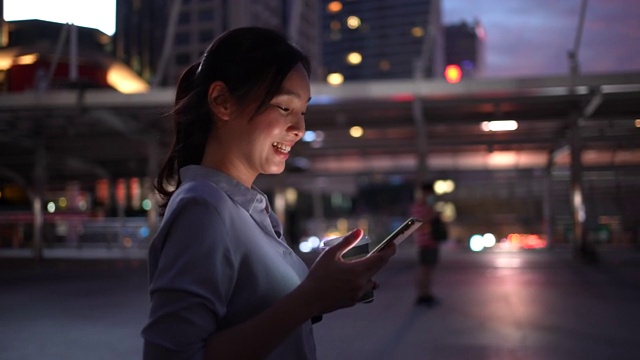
332, 284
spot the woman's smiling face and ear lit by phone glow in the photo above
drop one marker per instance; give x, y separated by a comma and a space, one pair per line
248, 146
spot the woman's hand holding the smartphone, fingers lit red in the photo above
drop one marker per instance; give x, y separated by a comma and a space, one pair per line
334, 283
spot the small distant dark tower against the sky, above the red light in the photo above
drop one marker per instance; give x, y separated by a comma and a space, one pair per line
464, 43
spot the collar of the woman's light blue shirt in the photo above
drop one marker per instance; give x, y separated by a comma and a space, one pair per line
246, 197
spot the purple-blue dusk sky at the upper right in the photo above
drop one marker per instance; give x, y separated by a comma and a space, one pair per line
532, 37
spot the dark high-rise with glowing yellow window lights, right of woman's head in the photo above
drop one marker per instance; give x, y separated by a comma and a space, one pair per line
378, 39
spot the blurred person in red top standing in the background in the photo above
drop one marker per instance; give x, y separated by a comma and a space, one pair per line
428, 238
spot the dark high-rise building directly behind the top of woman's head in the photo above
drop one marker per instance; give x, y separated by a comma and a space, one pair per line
160, 38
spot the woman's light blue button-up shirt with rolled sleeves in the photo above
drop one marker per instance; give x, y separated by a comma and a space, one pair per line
218, 259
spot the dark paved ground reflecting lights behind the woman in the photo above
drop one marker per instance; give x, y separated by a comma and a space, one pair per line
534, 305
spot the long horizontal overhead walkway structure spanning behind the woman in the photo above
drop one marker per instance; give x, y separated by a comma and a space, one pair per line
50, 138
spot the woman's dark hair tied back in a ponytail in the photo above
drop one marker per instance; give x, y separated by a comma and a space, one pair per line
252, 62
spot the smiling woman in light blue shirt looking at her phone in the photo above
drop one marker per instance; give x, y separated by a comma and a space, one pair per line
224, 283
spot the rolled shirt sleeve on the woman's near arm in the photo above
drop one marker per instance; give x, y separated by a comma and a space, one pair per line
192, 275
